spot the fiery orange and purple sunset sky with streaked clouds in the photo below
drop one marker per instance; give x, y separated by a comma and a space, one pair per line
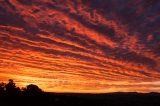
84, 46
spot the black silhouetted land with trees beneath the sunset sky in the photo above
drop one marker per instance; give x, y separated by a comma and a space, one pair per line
32, 95
